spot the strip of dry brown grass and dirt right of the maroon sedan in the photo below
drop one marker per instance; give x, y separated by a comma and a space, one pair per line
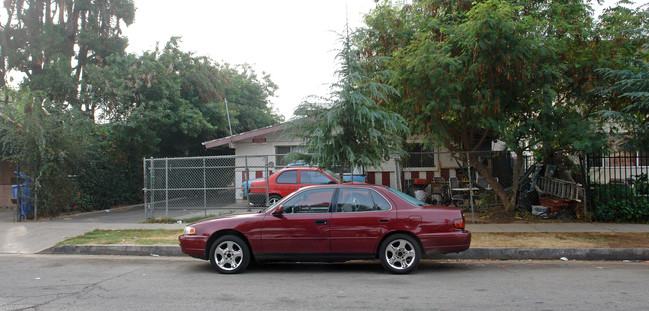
561, 239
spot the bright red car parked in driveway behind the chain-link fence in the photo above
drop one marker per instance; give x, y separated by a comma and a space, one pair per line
286, 181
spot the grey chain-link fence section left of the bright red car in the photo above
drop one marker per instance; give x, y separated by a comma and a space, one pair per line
202, 183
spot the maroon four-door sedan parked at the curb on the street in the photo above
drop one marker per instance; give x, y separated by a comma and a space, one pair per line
331, 223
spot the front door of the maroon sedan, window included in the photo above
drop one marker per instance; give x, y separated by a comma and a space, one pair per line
303, 227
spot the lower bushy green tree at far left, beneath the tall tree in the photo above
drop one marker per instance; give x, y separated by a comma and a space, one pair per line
49, 144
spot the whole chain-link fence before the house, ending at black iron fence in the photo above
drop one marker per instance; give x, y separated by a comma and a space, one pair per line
442, 178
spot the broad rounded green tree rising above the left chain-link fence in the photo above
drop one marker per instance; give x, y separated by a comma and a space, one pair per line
179, 98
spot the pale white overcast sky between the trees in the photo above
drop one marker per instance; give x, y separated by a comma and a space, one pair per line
294, 41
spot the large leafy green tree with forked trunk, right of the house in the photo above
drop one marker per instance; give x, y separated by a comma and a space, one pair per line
518, 71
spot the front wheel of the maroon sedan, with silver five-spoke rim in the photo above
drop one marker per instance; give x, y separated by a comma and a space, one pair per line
230, 254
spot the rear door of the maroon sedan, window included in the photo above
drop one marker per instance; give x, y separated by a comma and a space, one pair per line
361, 217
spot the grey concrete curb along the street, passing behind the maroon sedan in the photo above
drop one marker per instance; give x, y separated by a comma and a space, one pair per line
500, 253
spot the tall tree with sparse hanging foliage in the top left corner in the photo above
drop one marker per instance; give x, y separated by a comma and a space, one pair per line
54, 42
